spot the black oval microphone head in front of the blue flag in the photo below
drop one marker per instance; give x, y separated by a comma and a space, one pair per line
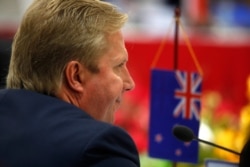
183, 133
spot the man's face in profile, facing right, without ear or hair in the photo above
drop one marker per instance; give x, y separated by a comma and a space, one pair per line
103, 91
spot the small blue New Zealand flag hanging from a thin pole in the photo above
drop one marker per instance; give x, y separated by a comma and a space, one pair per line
175, 99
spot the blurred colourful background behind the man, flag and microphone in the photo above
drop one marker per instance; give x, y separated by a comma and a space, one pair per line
219, 32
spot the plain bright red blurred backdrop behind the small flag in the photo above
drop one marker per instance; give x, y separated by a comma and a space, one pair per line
225, 66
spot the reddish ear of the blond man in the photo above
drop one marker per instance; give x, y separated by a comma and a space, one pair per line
74, 75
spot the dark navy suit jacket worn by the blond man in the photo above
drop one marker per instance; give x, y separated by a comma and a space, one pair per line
42, 131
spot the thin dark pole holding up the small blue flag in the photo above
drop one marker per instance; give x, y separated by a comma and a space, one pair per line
176, 44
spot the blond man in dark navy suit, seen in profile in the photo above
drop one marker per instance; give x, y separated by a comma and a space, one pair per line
66, 78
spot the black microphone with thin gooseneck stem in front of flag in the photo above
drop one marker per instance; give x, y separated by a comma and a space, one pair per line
185, 134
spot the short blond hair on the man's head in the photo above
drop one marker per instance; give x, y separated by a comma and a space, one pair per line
54, 32
